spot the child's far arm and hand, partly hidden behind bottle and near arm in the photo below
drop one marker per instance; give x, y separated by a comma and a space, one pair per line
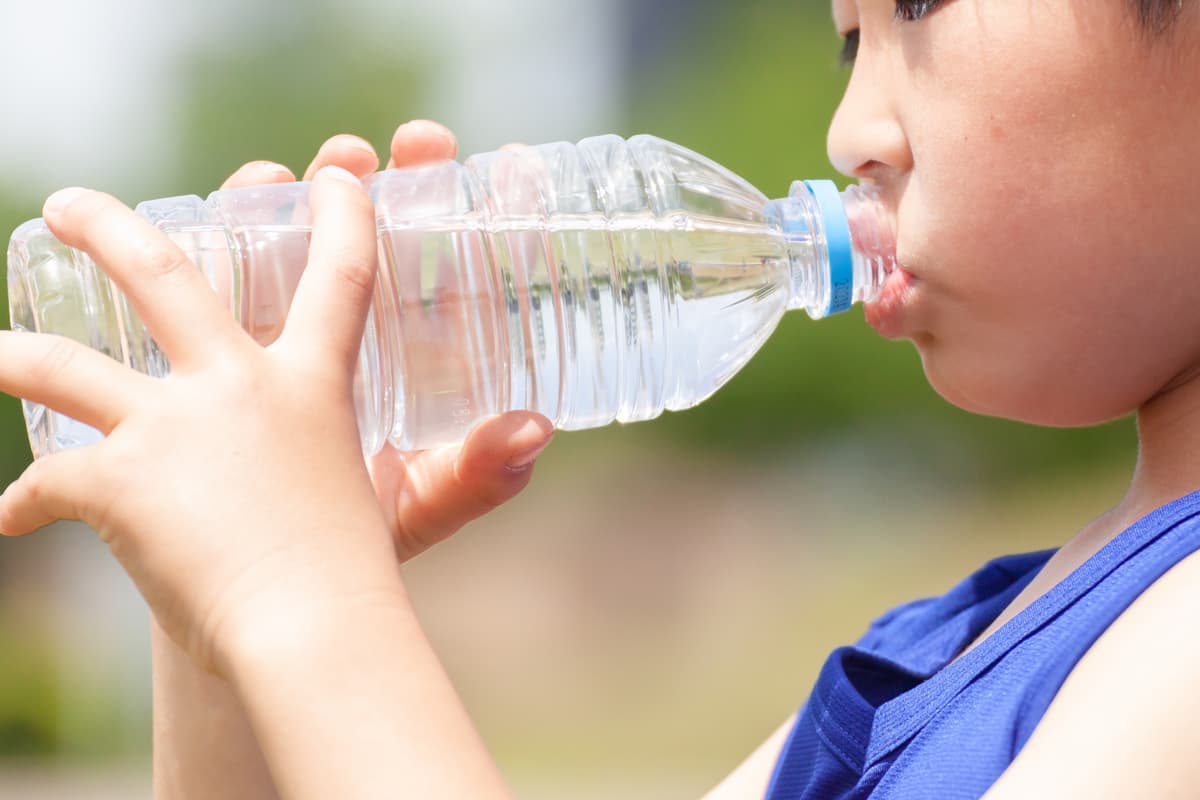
203, 744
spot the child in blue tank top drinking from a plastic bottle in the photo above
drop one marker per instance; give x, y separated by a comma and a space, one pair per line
269, 566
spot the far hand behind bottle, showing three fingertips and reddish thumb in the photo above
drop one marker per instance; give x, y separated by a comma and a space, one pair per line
429, 496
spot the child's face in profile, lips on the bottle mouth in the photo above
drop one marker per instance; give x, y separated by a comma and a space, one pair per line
1041, 157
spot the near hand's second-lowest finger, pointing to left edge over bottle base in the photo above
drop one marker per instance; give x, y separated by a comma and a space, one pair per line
68, 377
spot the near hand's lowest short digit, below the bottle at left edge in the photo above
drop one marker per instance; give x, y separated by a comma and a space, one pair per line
53, 488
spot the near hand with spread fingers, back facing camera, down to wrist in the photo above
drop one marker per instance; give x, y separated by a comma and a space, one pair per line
233, 491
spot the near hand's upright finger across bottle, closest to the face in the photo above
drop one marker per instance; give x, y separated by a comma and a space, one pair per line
331, 306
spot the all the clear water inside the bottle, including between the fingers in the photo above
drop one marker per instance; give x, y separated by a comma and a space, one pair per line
583, 318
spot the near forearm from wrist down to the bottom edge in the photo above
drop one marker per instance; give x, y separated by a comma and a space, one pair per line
350, 701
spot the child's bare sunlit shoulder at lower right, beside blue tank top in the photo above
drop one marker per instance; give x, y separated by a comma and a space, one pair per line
1124, 723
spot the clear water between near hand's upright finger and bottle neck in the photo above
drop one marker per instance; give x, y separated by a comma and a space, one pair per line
583, 318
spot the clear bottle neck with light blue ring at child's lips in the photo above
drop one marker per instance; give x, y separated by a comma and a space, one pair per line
841, 246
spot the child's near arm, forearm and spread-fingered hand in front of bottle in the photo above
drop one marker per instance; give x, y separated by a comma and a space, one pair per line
235, 495
